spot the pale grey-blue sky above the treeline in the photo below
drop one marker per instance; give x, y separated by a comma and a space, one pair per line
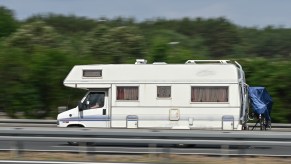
248, 13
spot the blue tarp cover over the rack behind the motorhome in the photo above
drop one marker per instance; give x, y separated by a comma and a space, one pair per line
261, 101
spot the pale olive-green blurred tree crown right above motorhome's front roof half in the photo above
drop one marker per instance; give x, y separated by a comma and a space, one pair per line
117, 44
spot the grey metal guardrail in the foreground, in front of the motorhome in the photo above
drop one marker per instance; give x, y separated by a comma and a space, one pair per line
151, 137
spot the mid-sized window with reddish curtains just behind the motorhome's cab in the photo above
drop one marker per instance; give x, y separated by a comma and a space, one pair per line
127, 93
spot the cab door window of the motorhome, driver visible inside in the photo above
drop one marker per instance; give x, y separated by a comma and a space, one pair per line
95, 100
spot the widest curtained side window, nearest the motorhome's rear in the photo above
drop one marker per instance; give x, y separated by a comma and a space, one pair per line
209, 94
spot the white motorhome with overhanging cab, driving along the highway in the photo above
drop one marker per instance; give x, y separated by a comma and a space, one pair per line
198, 94
